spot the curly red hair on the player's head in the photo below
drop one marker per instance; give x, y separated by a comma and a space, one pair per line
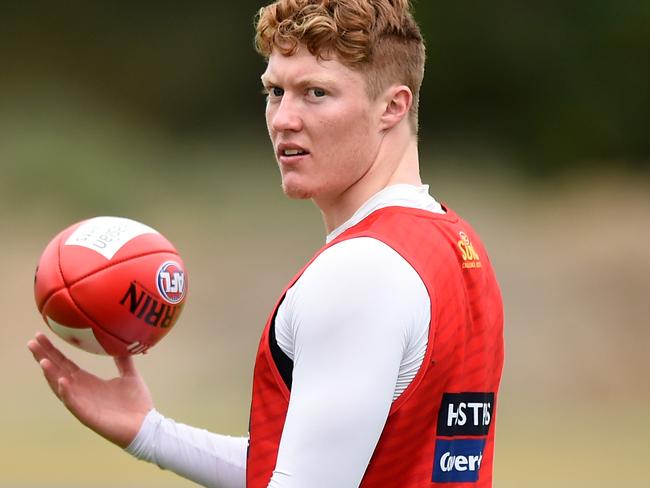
379, 38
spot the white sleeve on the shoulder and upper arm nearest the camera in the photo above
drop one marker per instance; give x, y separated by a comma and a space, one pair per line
351, 316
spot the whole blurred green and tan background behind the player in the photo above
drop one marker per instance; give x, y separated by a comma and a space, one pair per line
534, 127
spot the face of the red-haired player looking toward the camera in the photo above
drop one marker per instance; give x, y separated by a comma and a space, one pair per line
323, 126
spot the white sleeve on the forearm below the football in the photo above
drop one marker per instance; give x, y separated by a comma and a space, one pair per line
212, 460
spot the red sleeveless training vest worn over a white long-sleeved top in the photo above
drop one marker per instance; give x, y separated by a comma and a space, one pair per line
440, 431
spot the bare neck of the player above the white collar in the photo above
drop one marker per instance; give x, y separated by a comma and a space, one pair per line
395, 163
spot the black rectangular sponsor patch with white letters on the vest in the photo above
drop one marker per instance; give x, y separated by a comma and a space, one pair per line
466, 414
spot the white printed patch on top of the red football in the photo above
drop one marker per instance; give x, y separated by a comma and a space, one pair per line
107, 235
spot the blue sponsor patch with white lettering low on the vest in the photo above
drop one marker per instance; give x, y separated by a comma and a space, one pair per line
457, 460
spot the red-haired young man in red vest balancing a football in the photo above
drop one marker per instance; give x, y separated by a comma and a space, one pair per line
380, 364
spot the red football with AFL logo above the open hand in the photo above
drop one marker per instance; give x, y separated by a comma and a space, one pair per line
110, 285
